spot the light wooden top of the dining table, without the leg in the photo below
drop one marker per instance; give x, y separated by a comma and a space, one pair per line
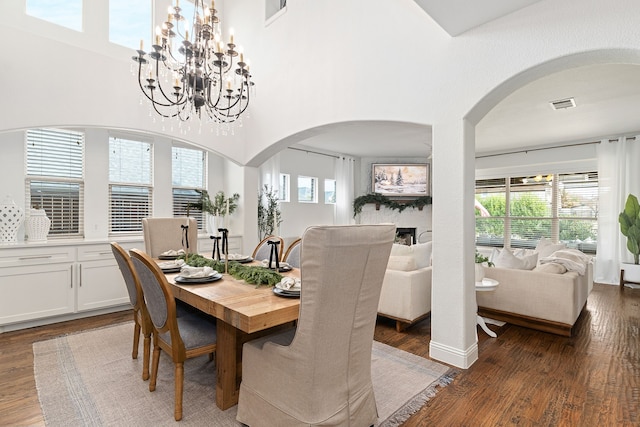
239, 304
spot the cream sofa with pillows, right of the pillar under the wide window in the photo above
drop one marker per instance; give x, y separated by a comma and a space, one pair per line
548, 298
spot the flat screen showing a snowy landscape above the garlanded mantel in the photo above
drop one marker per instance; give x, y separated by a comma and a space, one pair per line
400, 180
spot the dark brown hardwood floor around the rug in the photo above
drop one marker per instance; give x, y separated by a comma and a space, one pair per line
522, 377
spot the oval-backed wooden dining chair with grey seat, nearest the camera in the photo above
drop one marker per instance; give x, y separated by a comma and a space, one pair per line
182, 337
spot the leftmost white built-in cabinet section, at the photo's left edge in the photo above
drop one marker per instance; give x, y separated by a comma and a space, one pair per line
36, 283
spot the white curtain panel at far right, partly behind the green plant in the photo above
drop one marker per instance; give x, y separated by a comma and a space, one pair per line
618, 176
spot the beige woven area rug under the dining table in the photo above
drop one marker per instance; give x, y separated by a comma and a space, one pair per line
90, 379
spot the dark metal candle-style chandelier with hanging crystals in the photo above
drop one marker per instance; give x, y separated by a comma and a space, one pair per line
191, 71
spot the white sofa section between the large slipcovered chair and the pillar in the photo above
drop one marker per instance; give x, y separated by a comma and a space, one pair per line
406, 288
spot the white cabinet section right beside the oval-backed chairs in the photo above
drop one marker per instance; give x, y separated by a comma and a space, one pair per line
100, 283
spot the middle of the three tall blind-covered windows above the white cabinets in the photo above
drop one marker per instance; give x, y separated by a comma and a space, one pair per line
130, 184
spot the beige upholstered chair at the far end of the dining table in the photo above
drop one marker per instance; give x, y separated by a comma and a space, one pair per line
165, 234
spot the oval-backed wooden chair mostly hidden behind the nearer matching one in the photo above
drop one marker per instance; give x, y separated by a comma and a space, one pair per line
142, 322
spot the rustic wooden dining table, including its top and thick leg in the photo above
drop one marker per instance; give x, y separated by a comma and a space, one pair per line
244, 312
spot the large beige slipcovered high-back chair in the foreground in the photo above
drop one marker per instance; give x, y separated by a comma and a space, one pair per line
320, 372
